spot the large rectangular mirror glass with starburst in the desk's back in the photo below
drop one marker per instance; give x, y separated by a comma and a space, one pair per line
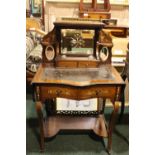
78, 42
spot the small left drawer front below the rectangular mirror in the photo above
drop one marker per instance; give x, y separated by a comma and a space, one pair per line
68, 64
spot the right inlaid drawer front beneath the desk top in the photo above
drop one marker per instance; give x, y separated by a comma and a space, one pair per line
98, 92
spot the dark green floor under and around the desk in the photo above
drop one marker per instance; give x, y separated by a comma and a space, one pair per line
75, 143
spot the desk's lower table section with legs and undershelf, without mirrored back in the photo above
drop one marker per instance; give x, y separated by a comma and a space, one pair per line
79, 84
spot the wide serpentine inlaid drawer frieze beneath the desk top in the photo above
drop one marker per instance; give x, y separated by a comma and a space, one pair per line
52, 91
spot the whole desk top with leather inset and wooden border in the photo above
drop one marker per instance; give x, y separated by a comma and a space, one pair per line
105, 74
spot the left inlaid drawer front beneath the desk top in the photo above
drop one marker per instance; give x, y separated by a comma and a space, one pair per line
56, 91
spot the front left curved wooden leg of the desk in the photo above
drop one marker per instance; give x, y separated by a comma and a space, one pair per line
40, 118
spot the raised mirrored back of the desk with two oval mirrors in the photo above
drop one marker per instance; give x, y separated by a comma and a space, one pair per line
76, 42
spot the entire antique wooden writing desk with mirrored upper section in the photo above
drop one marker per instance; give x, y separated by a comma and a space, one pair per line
78, 69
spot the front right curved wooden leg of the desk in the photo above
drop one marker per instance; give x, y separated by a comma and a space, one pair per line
112, 125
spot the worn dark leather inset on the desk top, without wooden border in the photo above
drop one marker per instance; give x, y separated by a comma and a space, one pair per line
78, 74
